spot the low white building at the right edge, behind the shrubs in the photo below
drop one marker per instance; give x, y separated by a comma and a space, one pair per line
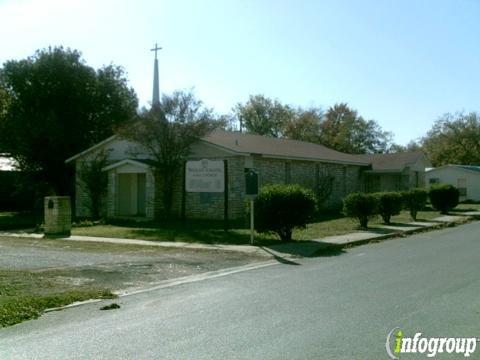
466, 178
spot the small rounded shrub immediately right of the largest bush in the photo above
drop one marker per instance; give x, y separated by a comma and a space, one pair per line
361, 206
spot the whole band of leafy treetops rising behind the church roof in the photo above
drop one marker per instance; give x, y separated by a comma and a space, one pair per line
340, 128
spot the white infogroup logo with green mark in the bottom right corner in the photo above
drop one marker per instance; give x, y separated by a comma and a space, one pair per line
397, 343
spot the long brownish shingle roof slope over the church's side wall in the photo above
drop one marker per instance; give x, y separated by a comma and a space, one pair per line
284, 148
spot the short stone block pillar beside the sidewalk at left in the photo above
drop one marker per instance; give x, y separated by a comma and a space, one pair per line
58, 216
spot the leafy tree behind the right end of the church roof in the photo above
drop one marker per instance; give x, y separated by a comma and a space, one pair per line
344, 130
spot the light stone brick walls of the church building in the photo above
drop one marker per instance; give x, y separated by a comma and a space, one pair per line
344, 179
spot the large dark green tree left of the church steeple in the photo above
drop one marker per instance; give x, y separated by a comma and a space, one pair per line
57, 107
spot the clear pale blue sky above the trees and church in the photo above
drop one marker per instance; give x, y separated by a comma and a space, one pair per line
402, 63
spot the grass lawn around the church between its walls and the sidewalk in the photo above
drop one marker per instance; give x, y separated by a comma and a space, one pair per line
213, 233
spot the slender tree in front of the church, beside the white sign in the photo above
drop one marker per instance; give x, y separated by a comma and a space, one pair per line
167, 132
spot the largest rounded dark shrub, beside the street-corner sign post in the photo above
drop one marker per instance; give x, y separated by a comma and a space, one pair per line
281, 208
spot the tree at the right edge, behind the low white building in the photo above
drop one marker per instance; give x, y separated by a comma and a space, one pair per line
454, 139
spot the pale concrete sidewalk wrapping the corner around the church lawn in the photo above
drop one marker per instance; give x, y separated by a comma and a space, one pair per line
300, 248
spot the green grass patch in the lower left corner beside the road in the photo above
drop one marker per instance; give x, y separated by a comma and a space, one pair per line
25, 295
